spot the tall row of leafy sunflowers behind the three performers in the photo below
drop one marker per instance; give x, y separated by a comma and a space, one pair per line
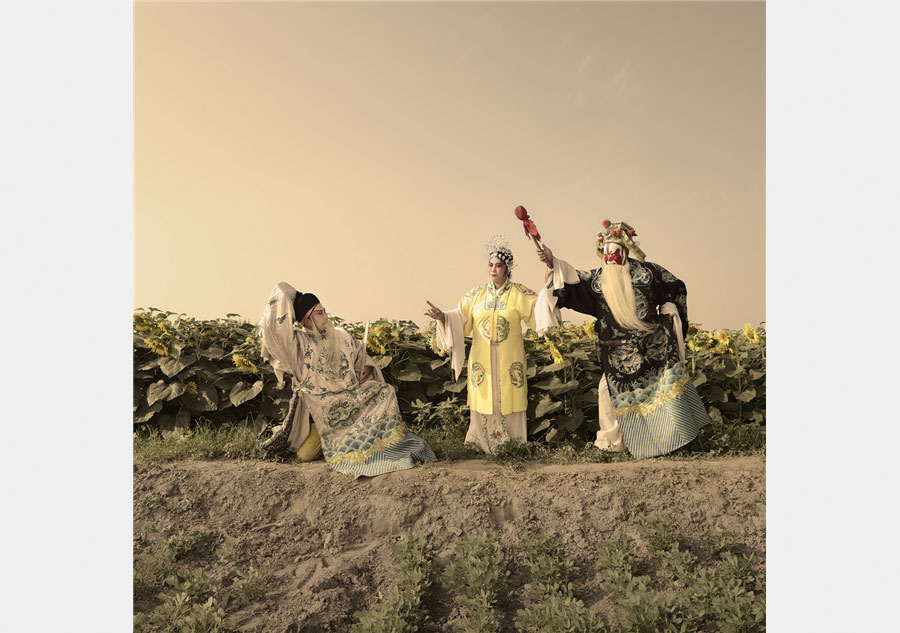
189, 371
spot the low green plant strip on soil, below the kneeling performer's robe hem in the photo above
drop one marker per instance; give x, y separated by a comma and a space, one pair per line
400, 611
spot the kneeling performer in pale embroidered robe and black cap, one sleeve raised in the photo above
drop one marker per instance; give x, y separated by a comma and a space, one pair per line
356, 418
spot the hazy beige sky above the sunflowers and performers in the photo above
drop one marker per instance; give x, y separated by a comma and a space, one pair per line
368, 151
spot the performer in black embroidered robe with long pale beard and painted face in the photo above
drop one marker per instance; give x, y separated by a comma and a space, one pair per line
645, 395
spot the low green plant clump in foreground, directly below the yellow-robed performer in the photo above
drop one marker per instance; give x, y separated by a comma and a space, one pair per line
477, 576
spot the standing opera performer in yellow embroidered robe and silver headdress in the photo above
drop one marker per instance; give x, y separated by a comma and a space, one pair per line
492, 314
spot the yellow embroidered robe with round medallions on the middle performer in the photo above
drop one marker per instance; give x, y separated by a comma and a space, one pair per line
496, 317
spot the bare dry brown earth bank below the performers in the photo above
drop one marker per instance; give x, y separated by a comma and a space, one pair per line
326, 538
